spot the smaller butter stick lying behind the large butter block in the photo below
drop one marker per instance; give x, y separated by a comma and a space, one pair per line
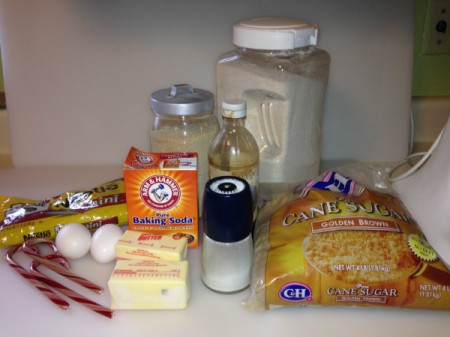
134, 245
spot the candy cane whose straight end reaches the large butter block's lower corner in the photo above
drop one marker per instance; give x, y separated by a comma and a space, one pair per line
69, 292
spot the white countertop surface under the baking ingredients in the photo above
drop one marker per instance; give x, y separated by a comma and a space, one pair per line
25, 312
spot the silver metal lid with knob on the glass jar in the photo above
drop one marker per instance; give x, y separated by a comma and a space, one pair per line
182, 100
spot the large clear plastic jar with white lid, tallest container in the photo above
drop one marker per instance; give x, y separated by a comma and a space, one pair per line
281, 74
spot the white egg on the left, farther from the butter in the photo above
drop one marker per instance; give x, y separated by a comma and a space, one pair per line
73, 241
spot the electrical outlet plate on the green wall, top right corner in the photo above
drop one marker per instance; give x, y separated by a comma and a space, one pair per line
437, 28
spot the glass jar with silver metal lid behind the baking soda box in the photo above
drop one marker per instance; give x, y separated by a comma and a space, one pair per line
184, 121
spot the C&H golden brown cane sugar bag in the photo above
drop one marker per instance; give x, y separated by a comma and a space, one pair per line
319, 247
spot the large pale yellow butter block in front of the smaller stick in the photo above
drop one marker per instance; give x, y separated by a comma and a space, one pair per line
149, 284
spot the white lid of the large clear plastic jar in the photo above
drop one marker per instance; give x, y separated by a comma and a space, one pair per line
274, 33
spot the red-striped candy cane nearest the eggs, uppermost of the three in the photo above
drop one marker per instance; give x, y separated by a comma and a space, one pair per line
34, 254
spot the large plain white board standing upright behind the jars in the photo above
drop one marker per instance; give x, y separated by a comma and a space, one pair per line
78, 73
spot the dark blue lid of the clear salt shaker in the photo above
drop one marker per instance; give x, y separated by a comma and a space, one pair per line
227, 209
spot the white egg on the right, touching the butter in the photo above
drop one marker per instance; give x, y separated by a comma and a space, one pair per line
103, 242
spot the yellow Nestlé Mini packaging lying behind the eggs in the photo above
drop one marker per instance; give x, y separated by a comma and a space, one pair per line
23, 219
